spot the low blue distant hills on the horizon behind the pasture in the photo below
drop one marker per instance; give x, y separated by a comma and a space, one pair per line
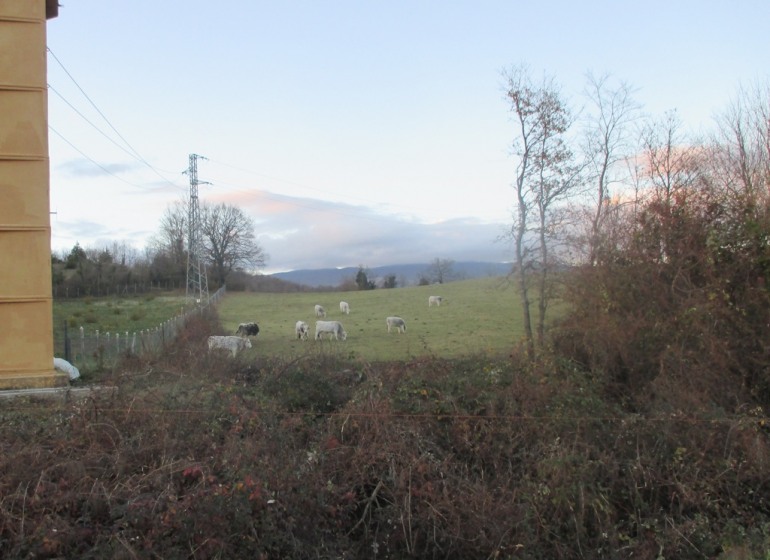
406, 274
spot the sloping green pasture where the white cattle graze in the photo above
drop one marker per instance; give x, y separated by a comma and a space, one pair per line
477, 316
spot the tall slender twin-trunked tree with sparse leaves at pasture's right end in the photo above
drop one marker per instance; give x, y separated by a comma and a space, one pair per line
545, 176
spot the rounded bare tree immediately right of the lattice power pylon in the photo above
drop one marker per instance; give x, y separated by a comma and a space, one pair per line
229, 241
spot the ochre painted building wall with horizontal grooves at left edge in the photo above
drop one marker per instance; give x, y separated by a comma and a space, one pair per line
26, 324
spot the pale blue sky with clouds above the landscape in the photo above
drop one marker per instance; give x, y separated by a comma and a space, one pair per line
351, 132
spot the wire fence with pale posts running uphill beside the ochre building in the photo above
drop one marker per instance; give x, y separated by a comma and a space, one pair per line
99, 349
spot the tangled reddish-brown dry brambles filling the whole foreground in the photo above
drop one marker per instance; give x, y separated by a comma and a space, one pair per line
326, 457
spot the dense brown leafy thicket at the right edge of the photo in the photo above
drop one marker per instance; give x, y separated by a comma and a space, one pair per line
675, 308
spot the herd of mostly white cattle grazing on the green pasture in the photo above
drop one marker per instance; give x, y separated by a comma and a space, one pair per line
334, 329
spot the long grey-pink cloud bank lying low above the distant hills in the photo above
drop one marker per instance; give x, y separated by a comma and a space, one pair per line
309, 233
